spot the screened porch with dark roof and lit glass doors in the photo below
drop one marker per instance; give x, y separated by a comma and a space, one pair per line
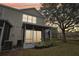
34, 33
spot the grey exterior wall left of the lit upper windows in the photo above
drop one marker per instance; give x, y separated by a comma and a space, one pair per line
15, 19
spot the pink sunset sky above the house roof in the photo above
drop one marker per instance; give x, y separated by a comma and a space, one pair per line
23, 5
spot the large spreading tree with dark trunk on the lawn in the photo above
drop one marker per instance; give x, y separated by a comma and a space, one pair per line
66, 15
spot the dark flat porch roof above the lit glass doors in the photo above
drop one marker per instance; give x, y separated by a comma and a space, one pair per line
35, 26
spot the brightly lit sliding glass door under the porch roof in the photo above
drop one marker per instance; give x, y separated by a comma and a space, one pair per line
32, 36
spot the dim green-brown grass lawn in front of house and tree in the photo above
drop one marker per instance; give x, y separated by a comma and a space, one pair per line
71, 48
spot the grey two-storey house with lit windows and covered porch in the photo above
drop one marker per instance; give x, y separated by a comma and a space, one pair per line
21, 28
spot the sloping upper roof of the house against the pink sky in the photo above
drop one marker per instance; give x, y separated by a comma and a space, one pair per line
28, 11
